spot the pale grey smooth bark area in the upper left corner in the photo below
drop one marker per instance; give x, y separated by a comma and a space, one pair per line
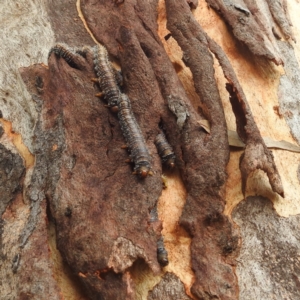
26, 36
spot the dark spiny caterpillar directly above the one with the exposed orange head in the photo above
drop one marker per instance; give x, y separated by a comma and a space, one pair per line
106, 76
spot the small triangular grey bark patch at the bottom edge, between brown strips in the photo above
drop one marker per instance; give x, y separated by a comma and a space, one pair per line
169, 288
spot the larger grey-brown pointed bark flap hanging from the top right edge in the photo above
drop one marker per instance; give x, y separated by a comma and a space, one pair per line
246, 29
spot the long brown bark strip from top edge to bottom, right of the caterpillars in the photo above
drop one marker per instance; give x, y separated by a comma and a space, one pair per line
206, 157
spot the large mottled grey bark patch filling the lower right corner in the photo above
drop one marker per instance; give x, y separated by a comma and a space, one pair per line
269, 260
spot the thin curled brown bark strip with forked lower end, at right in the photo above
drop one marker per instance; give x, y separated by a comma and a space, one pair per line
256, 155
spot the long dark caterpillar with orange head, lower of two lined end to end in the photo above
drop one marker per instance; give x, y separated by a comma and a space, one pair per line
134, 139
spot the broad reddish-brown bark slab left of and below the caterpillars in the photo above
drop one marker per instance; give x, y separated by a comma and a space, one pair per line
96, 214
